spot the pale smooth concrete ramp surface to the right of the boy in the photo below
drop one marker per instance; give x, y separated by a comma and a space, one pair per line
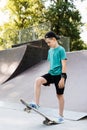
76, 85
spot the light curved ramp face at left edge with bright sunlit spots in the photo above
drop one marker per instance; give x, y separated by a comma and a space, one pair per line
9, 61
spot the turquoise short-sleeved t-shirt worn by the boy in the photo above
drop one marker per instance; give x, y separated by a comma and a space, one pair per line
55, 55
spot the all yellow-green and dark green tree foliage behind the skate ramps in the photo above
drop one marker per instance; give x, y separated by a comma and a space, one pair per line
64, 18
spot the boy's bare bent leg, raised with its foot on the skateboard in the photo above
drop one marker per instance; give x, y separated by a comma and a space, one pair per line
37, 88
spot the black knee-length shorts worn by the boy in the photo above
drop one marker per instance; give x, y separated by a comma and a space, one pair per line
55, 80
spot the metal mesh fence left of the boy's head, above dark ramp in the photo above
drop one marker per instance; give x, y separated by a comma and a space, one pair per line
33, 33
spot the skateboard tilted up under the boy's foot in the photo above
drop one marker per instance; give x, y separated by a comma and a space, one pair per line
47, 121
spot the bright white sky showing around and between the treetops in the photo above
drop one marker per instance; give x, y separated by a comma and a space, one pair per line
82, 6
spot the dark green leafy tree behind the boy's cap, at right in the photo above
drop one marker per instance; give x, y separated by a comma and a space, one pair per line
65, 20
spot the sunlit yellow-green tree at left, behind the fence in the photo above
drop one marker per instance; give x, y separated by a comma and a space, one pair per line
22, 14
